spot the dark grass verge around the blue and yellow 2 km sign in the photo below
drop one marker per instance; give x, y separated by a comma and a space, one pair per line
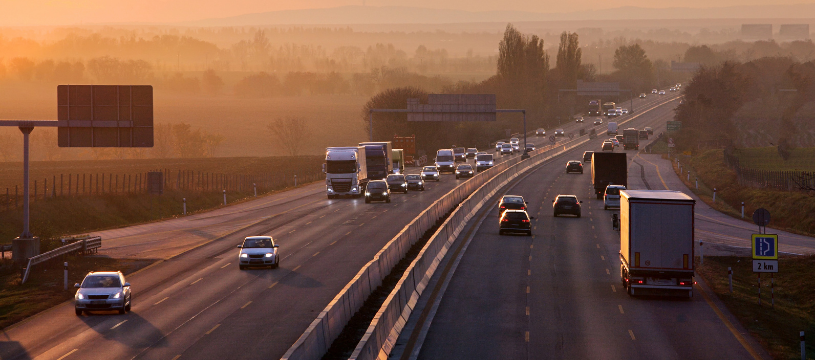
776, 328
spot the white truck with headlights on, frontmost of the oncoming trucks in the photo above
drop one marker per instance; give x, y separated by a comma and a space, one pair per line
346, 171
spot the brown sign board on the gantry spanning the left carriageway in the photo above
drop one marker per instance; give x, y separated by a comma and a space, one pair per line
453, 107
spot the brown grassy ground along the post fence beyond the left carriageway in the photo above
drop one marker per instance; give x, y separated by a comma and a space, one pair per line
59, 216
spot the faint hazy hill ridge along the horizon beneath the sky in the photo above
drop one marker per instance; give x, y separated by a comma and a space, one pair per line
415, 15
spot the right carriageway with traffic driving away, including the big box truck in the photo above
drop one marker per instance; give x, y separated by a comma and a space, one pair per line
558, 294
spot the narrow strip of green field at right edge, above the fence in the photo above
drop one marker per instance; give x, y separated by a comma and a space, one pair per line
766, 158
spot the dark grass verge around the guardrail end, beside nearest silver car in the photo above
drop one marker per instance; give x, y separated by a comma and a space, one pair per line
44, 288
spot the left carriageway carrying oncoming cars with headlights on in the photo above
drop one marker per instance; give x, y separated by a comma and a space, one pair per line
197, 304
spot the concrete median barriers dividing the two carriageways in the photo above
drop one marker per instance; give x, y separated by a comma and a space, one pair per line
381, 335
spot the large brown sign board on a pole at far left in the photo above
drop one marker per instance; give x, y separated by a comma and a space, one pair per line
105, 115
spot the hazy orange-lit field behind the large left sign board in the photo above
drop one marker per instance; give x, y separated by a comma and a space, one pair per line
334, 120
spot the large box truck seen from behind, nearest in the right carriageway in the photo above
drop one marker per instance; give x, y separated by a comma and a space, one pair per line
657, 242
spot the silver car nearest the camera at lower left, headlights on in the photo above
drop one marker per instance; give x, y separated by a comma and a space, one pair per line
103, 290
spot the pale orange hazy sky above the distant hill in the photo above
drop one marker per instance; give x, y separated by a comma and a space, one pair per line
66, 12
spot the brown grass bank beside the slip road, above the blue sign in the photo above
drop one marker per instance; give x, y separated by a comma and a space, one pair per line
791, 211
